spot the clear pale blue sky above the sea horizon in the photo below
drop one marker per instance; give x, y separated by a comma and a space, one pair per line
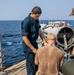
51, 9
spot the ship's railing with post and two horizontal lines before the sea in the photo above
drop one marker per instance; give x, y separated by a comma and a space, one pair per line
6, 55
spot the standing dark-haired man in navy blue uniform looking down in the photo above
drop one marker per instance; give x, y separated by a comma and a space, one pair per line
30, 30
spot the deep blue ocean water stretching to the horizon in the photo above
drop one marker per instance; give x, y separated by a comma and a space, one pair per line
12, 40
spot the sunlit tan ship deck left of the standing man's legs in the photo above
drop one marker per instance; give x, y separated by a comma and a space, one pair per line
16, 69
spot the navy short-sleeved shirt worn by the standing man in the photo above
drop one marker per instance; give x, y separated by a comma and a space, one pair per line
30, 28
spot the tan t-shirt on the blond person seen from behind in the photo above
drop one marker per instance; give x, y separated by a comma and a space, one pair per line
50, 59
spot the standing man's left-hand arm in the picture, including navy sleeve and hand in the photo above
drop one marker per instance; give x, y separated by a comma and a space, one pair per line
25, 32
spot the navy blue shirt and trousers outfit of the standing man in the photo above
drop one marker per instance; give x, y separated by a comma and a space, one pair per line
30, 28
